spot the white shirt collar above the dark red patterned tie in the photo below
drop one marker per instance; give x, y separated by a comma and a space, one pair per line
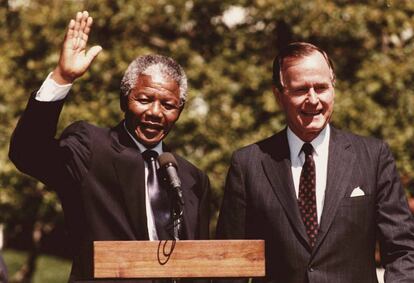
320, 143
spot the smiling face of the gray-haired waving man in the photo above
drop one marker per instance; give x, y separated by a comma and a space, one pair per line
153, 106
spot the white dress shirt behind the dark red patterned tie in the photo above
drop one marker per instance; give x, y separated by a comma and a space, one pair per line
320, 155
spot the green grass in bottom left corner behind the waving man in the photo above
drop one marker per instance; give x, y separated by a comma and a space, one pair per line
49, 269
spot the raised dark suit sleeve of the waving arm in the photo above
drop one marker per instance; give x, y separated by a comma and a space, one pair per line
35, 151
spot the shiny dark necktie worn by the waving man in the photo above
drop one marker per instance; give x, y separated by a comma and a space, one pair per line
160, 204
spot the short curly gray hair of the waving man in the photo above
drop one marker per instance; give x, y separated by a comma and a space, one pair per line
153, 65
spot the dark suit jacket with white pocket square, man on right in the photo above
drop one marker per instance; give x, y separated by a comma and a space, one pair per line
260, 203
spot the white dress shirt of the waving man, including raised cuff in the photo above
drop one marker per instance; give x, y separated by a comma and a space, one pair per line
52, 91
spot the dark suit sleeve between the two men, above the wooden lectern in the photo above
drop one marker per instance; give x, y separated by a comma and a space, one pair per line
232, 219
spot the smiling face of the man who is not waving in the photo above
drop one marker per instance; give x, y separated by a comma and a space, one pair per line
308, 94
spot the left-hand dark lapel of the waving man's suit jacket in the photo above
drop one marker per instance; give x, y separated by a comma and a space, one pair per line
130, 169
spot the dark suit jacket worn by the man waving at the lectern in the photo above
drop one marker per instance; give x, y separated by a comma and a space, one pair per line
98, 174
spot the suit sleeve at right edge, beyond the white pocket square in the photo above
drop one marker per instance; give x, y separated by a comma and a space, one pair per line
394, 221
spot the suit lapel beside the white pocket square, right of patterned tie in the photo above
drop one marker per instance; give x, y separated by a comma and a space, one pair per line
341, 161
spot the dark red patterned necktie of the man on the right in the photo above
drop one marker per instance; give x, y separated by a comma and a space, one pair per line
307, 194
